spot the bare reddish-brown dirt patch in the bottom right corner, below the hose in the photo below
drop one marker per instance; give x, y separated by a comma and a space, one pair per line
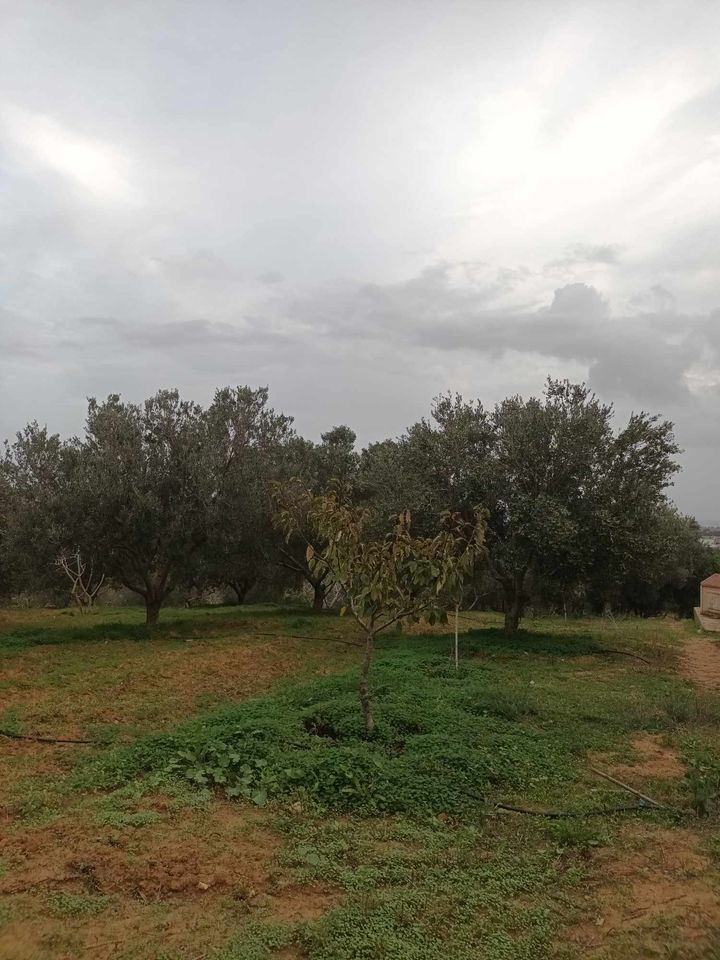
668, 880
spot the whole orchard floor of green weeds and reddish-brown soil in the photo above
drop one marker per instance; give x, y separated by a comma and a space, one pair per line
230, 808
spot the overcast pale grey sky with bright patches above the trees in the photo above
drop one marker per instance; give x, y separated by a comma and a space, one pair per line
362, 205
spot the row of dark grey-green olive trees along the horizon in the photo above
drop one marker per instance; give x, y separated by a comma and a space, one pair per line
169, 496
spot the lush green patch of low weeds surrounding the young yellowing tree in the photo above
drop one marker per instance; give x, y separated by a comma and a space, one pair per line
509, 727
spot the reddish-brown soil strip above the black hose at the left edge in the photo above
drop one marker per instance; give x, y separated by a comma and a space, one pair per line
159, 682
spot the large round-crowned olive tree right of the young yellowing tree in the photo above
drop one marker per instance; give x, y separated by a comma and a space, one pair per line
565, 495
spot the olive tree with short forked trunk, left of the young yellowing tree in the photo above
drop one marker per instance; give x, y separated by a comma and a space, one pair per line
140, 491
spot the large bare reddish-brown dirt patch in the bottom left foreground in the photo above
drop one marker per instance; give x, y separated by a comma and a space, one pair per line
185, 880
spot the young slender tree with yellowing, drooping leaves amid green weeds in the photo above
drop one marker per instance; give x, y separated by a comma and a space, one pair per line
400, 577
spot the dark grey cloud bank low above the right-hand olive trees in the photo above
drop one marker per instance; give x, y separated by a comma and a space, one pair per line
644, 357
